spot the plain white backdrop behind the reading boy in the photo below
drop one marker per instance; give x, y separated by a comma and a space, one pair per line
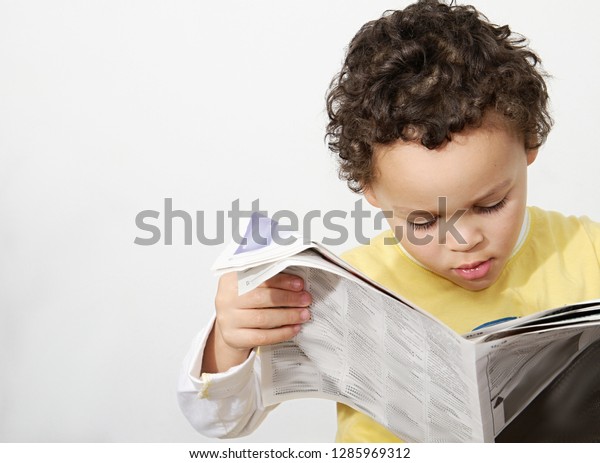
108, 107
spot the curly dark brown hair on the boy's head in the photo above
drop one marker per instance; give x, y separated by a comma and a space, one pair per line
424, 73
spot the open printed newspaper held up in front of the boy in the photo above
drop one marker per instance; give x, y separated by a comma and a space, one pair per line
382, 355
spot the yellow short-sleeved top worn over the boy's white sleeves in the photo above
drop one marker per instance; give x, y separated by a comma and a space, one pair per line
557, 264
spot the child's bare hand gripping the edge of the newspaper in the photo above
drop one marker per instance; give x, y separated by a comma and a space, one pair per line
270, 313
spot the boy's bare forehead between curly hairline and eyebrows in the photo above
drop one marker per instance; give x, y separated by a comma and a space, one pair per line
473, 161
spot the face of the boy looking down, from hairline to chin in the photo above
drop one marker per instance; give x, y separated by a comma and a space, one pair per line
482, 172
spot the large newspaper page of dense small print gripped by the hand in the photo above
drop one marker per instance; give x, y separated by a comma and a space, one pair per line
374, 353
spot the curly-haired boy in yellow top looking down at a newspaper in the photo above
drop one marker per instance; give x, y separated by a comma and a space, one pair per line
435, 117
